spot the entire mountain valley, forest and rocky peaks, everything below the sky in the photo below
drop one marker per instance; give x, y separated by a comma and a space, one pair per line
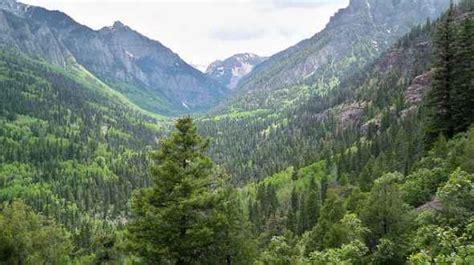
354, 146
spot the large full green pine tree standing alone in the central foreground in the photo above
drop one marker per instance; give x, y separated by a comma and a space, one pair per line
185, 217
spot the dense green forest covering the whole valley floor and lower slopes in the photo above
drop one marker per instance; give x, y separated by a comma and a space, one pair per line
378, 169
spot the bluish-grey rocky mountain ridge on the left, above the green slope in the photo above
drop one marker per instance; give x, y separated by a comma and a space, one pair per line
144, 70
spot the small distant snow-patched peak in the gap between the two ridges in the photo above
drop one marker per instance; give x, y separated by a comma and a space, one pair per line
228, 72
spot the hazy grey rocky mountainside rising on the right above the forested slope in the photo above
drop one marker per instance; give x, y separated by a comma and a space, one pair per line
354, 36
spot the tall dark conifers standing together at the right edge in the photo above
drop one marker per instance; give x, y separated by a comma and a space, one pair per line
452, 95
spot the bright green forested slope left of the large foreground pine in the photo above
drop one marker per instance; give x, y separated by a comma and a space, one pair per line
71, 147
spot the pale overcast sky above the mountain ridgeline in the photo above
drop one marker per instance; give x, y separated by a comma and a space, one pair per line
201, 31
